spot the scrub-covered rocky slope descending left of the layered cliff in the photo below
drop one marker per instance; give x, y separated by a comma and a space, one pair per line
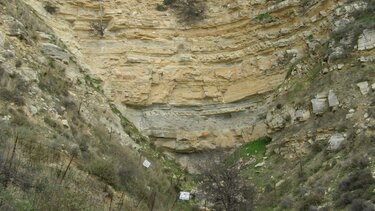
63, 144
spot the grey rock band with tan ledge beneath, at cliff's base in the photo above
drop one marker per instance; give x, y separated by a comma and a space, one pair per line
182, 129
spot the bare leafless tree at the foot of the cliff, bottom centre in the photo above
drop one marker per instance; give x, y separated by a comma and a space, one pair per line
225, 187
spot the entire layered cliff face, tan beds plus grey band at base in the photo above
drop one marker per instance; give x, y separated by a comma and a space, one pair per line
191, 87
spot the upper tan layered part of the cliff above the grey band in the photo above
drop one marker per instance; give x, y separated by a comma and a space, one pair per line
163, 61
